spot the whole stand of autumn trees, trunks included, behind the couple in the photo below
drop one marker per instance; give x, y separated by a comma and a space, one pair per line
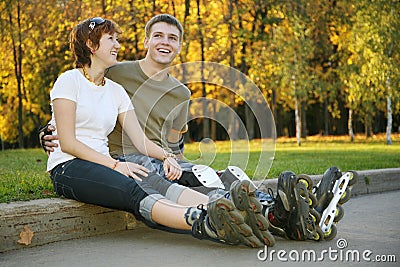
317, 64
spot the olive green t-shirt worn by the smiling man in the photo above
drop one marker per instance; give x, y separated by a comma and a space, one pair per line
159, 105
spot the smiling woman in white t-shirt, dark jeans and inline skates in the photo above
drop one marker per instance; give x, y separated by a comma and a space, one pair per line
85, 107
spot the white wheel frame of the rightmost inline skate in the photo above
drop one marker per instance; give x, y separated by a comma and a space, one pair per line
329, 214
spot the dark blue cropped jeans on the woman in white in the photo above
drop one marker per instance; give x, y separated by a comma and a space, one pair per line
93, 183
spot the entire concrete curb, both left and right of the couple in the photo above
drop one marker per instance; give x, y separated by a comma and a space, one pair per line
57, 219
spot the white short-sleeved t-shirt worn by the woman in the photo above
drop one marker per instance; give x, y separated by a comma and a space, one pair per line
97, 108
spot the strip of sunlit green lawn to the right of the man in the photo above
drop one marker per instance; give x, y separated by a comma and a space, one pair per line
312, 157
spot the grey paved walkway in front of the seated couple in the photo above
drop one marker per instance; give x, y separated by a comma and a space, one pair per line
370, 229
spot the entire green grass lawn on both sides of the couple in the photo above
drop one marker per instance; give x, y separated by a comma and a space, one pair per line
23, 176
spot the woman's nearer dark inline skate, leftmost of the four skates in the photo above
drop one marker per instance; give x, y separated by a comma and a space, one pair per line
221, 222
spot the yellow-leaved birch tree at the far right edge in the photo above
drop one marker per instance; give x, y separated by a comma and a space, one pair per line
370, 66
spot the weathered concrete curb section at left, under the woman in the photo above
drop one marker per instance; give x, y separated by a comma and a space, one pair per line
57, 219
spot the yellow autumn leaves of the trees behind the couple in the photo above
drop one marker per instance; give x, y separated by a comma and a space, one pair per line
281, 45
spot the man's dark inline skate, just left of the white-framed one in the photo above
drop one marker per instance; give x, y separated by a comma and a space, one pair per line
292, 216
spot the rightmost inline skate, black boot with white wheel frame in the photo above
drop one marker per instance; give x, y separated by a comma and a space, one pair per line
332, 191
